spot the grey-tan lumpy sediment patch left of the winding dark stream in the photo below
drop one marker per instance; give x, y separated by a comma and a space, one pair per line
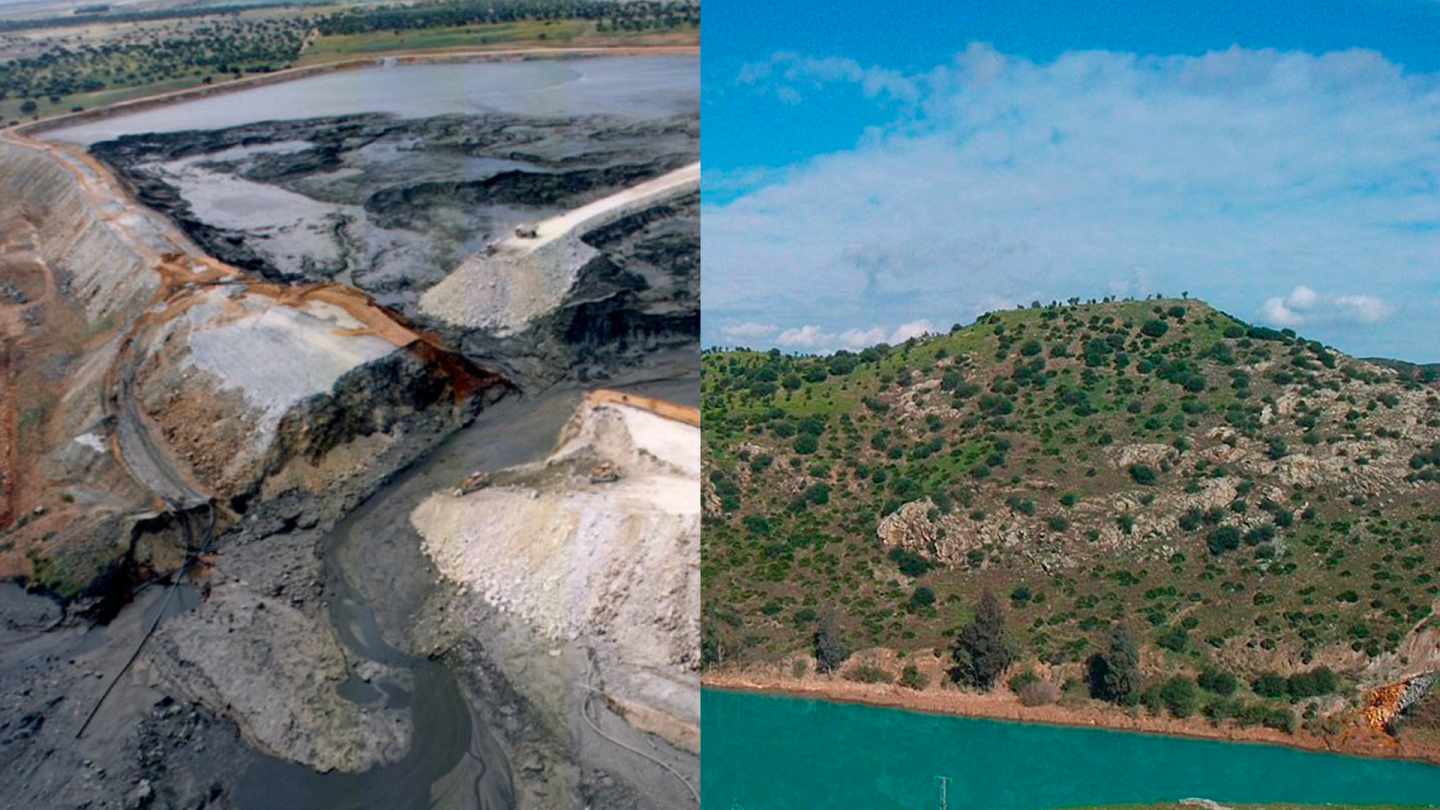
276, 674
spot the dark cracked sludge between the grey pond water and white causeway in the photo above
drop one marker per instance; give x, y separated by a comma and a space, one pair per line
390, 205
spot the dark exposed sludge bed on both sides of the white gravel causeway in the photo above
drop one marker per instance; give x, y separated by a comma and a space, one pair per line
392, 207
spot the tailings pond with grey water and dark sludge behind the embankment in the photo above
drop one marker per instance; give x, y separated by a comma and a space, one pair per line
388, 179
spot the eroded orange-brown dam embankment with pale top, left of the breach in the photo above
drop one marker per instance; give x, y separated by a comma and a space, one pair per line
148, 375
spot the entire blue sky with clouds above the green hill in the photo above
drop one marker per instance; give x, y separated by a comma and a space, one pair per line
872, 174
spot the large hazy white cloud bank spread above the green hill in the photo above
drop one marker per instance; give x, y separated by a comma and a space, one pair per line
1000, 179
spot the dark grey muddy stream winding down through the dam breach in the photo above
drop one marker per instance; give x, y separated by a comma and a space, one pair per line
378, 580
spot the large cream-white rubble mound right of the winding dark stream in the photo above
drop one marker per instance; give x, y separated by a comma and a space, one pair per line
614, 563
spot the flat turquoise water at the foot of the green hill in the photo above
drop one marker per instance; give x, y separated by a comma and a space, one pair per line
767, 753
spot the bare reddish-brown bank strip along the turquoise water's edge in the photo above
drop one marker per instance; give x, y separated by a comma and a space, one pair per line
1004, 706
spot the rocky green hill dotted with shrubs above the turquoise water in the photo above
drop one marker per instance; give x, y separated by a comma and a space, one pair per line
1174, 508
